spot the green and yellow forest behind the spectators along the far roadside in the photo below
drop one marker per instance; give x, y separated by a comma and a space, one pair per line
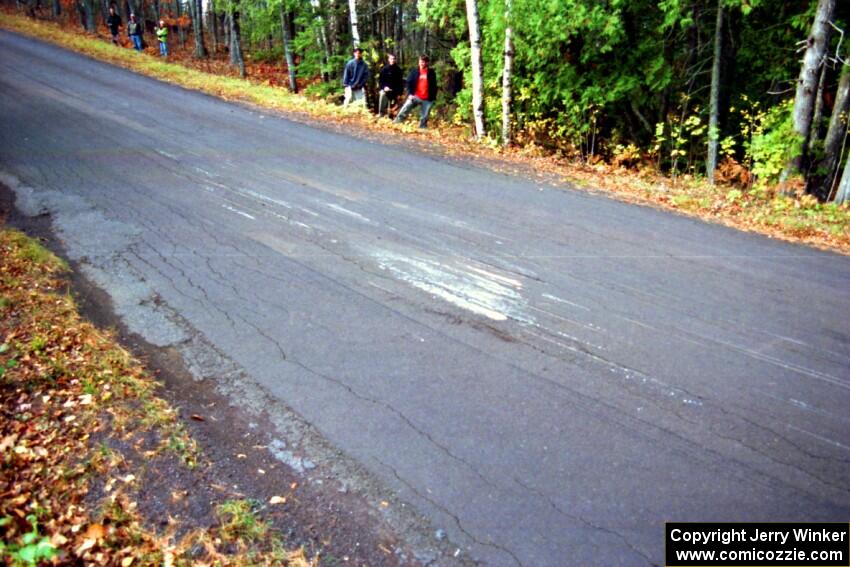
750, 92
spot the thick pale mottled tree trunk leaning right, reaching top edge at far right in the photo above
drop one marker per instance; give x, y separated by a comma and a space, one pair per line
804, 100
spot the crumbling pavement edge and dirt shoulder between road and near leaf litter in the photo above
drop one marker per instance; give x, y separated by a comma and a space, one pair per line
338, 506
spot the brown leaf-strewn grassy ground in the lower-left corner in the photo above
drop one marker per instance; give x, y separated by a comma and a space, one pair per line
82, 432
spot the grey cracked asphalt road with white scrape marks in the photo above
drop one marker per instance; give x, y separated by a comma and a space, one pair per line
546, 374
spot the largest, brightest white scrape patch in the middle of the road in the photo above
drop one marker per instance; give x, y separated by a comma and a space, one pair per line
478, 292
